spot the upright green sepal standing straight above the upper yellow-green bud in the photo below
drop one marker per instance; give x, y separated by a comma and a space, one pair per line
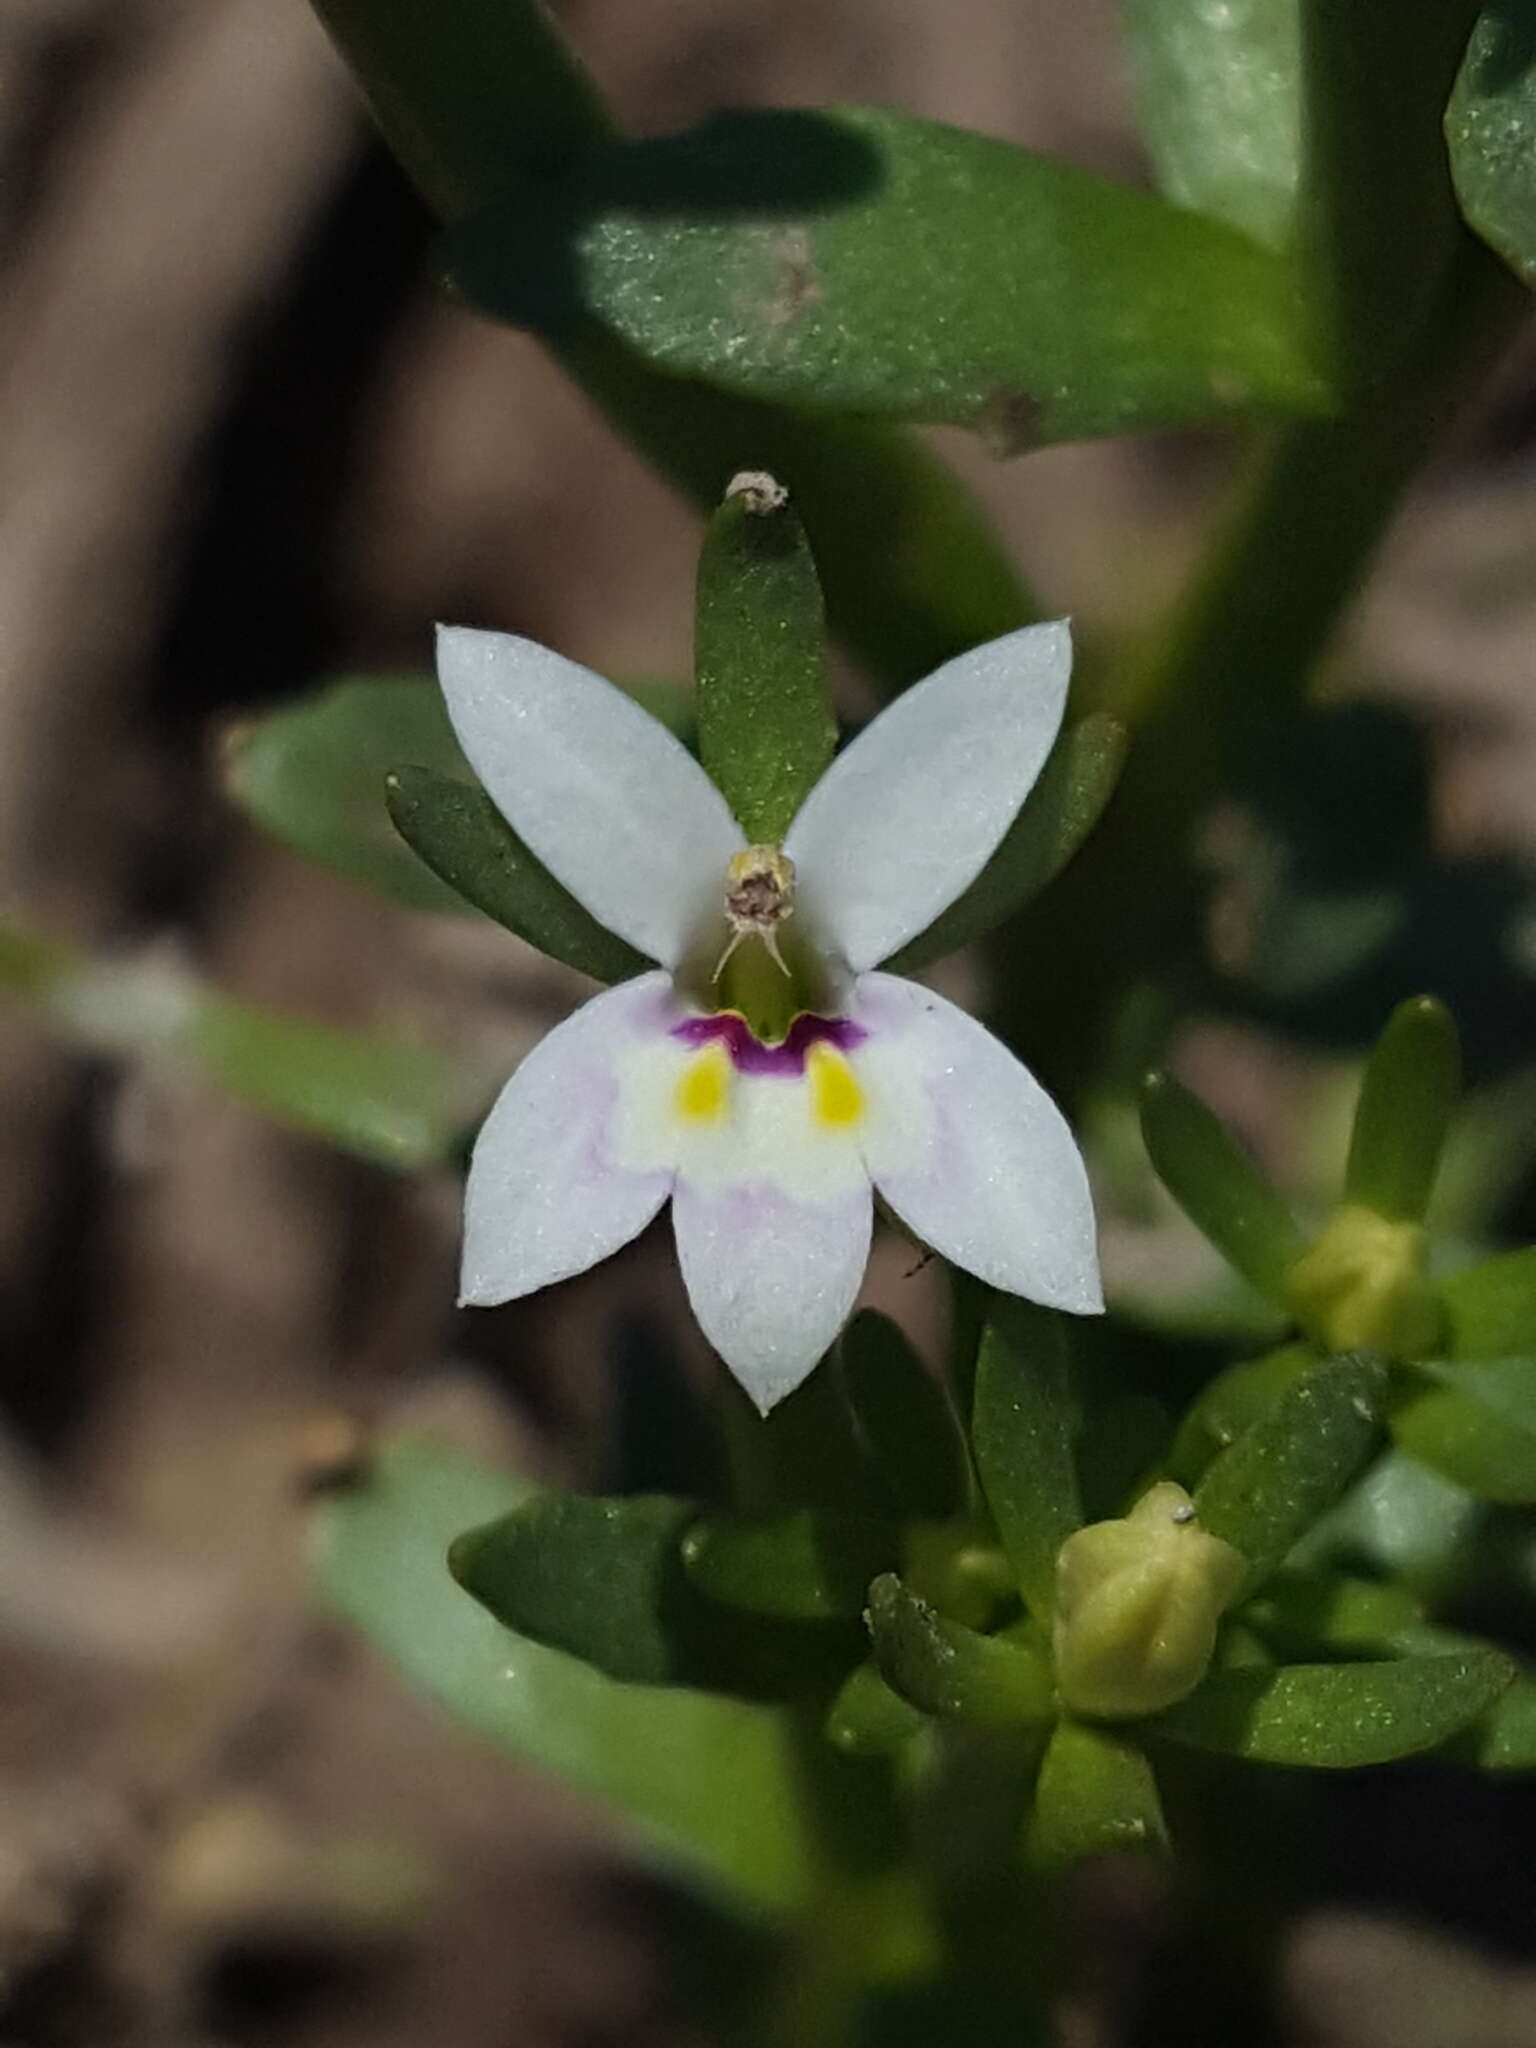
1402, 1119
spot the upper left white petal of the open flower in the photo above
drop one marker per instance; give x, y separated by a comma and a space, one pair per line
613, 806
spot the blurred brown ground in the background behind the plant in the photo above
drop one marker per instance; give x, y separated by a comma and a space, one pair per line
247, 445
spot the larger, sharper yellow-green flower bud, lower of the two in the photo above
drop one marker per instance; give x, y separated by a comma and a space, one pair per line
1138, 1607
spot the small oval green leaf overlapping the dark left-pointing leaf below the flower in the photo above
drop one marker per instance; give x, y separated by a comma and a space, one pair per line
802, 1566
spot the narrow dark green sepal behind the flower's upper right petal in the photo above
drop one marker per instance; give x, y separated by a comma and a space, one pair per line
1058, 816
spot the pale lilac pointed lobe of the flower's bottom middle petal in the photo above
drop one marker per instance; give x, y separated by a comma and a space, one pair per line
771, 1279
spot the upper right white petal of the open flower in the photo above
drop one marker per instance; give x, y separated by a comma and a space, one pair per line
910, 814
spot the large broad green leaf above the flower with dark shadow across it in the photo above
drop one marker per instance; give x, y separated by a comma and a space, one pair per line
773, 253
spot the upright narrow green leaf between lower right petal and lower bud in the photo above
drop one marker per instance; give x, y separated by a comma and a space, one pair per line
1023, 1437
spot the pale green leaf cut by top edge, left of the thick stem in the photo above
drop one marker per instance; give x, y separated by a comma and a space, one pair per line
1220, 101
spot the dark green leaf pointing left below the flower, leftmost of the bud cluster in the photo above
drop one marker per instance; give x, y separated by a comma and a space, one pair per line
603, 1580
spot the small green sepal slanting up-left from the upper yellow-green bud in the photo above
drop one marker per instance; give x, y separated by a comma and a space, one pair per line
1218, 1187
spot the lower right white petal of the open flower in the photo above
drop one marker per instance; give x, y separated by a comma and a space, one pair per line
970, 1150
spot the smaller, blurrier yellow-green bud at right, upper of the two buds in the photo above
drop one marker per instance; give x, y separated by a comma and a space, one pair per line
1365, 1287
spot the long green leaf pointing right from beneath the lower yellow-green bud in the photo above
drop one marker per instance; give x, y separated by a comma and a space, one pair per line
1338, 1717
